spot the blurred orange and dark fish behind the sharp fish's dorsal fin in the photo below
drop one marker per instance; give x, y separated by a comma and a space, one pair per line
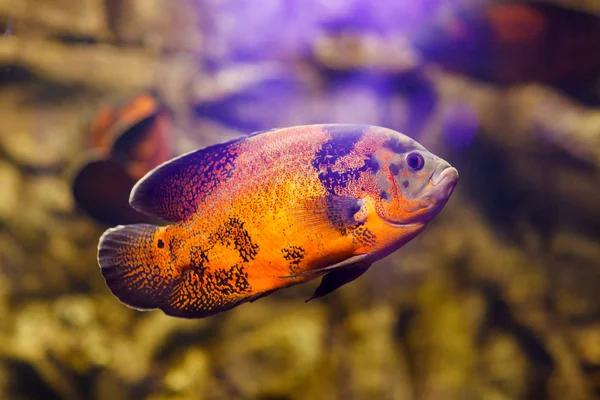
127, 141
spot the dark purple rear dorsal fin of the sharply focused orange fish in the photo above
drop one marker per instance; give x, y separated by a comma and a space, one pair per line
173, 190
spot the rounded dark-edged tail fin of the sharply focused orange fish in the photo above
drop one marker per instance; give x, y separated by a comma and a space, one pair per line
127, 263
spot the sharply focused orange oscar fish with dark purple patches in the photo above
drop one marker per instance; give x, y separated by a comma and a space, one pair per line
271, 210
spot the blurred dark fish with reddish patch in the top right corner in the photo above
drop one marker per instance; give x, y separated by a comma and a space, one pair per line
514, 42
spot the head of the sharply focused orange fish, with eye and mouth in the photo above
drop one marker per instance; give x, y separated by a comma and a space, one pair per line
412, 184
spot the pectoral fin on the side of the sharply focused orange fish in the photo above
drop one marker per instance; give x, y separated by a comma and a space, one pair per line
337, 212
